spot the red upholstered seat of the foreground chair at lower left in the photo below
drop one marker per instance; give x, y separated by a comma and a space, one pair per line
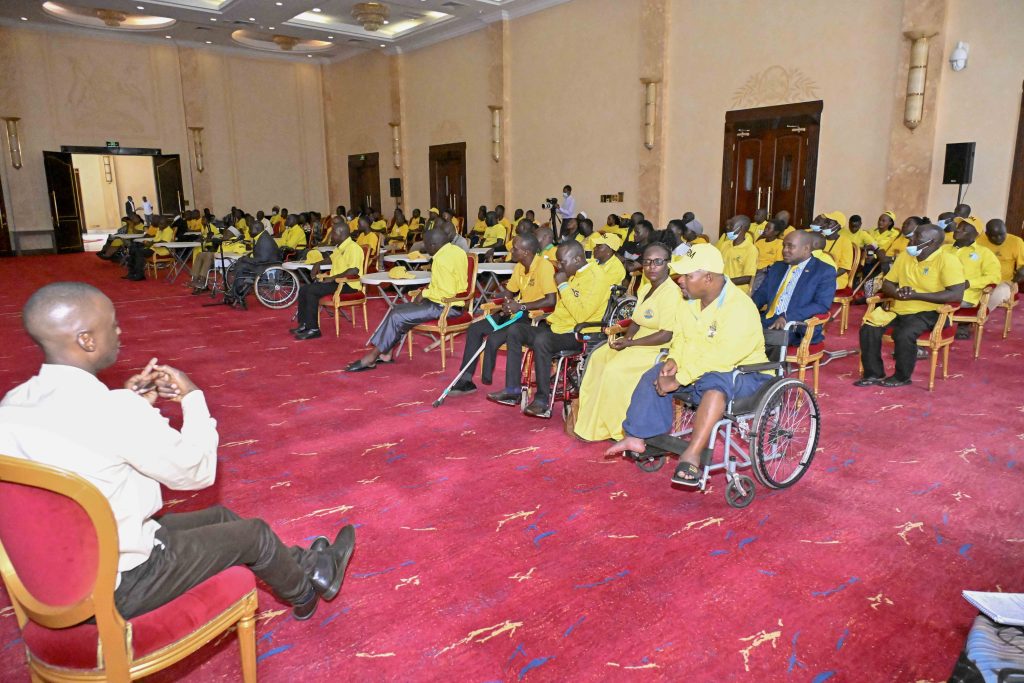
76, 648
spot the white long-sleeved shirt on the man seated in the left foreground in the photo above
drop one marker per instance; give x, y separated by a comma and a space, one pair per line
67, 418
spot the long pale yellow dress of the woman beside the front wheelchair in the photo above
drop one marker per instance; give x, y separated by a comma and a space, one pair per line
612, 376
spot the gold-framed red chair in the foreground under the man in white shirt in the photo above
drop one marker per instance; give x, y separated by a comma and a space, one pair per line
59, 561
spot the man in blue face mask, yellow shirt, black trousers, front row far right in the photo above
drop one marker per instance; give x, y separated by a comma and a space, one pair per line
923, 279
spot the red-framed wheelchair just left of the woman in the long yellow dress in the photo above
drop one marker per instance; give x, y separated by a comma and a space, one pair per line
571, 366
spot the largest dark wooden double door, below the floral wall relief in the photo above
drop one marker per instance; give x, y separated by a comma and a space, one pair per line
772, 161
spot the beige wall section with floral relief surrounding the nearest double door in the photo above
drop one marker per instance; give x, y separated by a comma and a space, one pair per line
841, 52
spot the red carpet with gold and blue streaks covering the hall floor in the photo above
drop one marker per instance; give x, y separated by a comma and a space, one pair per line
493, 548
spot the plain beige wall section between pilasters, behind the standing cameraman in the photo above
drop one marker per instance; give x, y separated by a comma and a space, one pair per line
577, 106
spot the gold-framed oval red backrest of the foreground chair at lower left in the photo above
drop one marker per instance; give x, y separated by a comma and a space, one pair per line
59, 547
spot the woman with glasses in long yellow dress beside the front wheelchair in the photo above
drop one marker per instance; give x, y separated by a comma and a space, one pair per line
615, 369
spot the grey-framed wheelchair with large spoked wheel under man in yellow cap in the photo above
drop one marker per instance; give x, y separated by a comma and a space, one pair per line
775, 433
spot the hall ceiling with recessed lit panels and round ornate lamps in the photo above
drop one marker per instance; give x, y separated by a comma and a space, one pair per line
324, 29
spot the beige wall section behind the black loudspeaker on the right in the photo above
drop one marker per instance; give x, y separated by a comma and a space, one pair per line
980, 104
